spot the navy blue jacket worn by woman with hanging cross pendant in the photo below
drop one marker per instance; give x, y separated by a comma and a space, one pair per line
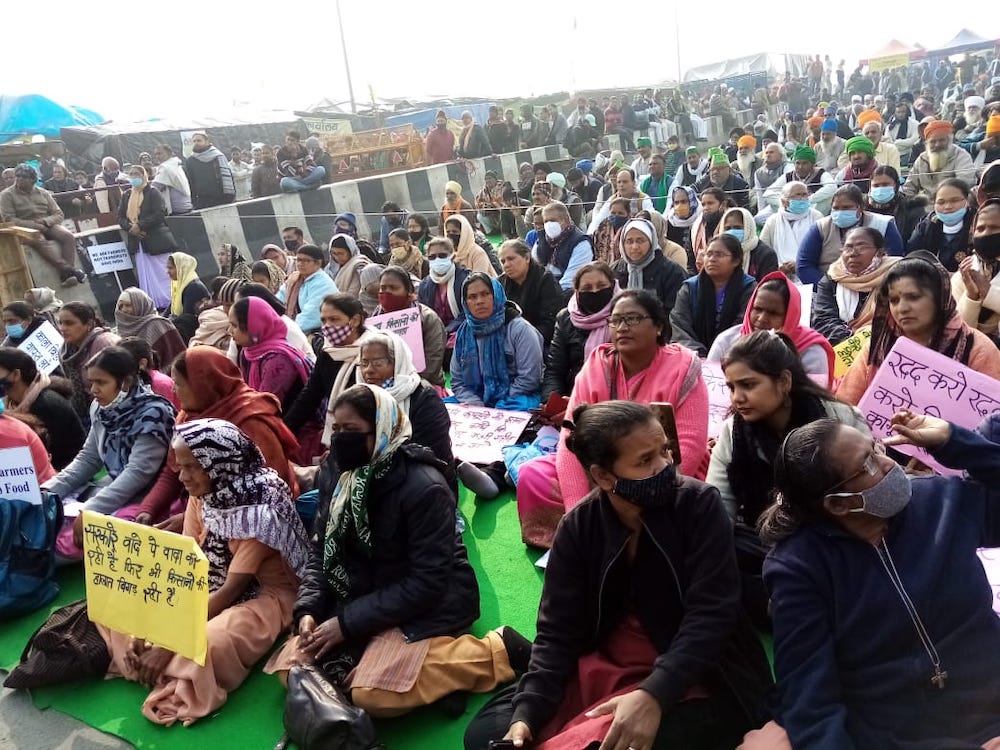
850, 668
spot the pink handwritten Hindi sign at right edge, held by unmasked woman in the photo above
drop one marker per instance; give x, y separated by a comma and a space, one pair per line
917, 378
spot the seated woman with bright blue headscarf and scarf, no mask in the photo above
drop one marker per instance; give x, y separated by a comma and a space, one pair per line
498, 354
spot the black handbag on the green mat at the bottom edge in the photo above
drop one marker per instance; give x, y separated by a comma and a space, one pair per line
319, 717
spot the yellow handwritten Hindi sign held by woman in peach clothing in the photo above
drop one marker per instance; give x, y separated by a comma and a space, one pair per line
147, 583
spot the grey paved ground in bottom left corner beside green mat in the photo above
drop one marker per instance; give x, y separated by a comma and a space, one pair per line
24, 727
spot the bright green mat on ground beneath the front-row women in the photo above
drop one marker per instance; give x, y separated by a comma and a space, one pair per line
509, 585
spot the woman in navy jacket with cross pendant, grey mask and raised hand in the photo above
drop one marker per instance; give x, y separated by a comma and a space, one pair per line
865, 657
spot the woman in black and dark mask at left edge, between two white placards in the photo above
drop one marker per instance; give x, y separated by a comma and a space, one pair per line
30, 391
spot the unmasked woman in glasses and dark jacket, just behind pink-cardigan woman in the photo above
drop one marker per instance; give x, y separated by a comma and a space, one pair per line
715, 299
